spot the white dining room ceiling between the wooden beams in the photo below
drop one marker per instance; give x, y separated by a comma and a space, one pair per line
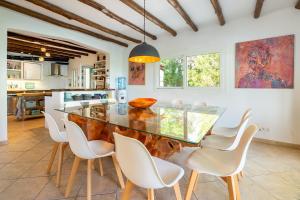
200, 11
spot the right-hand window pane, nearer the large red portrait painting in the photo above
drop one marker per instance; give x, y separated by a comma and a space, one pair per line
203, 70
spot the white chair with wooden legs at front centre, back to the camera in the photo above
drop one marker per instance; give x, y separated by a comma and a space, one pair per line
144, 170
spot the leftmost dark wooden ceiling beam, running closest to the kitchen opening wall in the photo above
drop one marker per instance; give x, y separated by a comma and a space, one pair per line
50, 20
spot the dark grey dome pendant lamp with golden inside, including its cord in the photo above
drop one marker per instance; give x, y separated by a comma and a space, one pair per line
144, 53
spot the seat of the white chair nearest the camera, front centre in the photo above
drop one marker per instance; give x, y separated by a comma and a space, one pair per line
169, 172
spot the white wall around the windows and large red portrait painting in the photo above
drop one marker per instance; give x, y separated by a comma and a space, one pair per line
276, 109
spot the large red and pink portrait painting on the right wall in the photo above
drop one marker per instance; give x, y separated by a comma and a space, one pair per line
266, 63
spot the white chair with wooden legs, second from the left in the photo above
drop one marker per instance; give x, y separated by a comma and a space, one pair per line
88, 150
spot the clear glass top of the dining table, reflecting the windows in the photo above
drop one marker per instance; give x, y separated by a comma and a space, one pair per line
185, 124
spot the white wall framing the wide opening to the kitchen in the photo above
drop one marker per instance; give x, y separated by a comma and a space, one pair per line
13, 20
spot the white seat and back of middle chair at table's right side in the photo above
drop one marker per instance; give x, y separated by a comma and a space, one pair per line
225, 143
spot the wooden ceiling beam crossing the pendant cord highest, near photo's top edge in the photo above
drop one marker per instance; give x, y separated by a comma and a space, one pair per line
149, 16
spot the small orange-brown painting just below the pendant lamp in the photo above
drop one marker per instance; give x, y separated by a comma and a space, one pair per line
136, 73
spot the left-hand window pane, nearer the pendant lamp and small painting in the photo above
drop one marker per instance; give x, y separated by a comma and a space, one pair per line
171, 72
